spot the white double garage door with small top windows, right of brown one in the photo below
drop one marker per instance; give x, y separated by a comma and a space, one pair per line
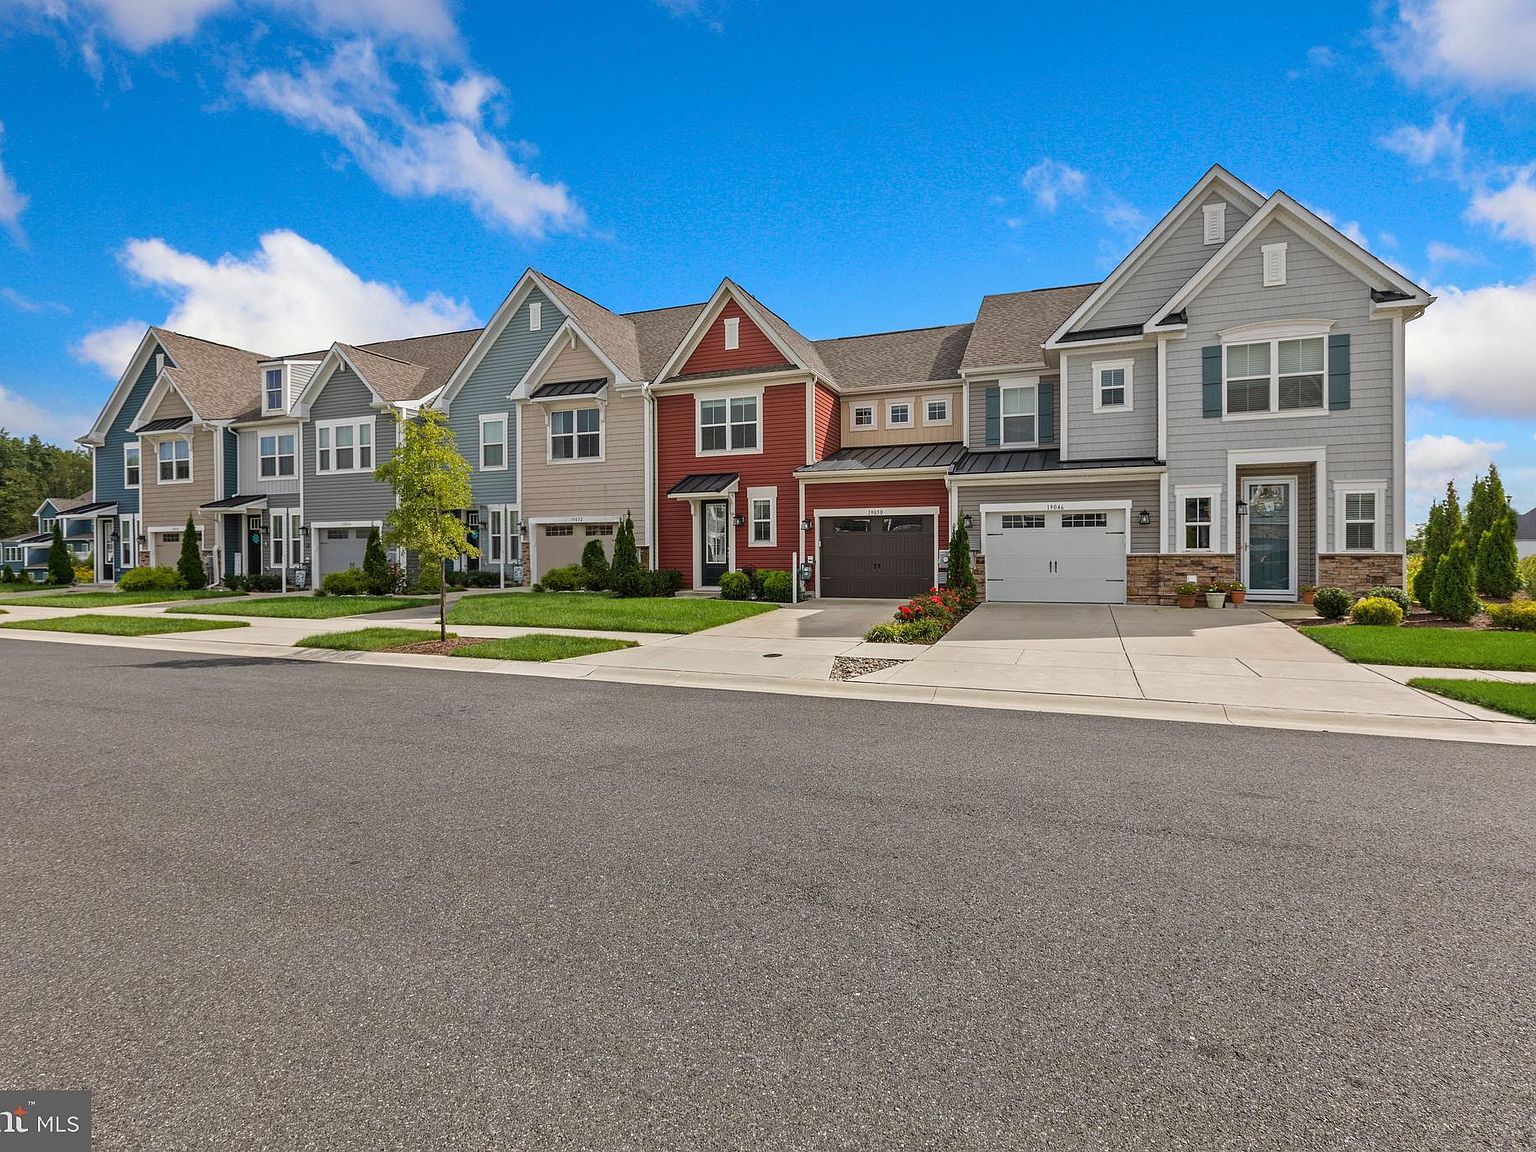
1058, 557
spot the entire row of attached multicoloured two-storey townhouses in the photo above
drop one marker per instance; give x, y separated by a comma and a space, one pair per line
1228, 403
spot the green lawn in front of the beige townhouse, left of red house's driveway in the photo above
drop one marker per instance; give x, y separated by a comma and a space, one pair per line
591, 611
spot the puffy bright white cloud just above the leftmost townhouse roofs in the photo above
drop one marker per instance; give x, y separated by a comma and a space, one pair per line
291, 296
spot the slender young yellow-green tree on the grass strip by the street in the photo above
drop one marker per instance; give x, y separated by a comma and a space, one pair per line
432, 486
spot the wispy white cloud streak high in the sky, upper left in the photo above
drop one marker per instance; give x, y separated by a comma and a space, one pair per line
353, 99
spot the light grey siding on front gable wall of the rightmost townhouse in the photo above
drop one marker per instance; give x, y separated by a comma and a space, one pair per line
1359, 442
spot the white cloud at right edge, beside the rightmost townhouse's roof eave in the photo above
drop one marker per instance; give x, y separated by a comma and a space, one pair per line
1469, 348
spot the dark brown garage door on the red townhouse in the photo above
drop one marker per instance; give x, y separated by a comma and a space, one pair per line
878, 557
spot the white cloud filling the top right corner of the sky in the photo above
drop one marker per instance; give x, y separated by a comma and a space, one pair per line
1483, 45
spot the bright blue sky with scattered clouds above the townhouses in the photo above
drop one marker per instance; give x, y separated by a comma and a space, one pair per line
280, 174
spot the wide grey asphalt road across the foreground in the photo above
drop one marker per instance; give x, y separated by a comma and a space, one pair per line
262, 905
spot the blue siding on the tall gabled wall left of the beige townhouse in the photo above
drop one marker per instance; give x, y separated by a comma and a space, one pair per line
486, 391
